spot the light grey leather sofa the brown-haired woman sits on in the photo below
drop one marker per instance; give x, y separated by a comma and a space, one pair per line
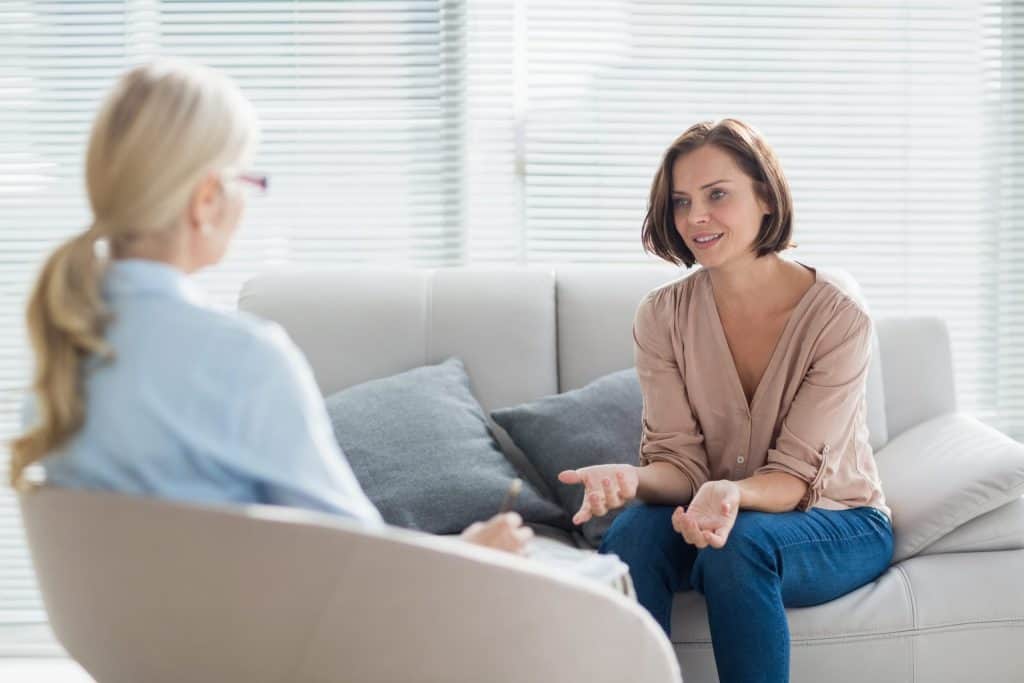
954, 612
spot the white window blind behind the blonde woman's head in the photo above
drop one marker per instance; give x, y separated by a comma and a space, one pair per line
362, 136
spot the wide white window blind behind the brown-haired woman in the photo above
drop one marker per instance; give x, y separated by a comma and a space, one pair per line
878, 111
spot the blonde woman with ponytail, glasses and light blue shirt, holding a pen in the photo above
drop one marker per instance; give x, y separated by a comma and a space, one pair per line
141, 387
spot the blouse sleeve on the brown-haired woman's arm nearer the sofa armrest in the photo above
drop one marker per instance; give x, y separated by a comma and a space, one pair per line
824, 413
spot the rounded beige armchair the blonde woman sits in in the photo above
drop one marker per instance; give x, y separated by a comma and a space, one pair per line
146, 590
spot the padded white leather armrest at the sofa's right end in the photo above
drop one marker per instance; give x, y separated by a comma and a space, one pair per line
944, 474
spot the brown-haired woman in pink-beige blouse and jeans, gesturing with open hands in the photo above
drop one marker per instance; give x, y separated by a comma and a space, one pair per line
759, 485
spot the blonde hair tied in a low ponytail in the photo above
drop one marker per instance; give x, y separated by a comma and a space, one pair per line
164, 126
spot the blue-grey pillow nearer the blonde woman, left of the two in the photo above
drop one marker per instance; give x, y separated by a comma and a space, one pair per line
420, 446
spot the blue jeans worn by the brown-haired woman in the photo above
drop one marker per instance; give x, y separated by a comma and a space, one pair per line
771, 562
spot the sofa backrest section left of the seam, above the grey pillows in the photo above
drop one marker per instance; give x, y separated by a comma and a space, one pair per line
361, 324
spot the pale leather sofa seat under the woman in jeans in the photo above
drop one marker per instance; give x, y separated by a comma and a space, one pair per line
949, 618
